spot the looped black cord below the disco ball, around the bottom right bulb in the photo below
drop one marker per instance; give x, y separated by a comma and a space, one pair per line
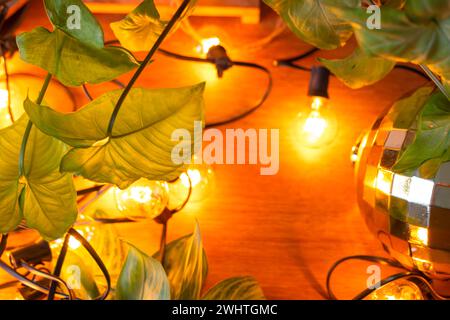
416, 275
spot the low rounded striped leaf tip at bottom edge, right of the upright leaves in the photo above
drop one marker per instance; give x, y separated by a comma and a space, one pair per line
239, 288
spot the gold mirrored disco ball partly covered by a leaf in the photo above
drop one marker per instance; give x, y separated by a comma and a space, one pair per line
408, 214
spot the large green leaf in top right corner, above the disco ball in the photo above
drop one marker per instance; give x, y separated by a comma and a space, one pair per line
403, 39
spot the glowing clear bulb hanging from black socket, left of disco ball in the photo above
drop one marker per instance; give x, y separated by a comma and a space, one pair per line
318, 126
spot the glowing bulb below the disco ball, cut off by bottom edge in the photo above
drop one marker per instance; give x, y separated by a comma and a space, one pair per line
397, 290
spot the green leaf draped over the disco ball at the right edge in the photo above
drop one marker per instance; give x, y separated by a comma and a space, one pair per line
433, 136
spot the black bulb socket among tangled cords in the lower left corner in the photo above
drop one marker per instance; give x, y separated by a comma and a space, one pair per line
34, 254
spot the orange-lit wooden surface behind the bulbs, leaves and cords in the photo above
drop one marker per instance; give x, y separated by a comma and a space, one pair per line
285, 230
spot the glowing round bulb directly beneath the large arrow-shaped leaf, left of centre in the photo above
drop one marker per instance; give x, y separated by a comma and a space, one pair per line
144, 199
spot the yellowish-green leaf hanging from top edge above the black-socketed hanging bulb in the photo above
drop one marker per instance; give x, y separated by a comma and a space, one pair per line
313, 22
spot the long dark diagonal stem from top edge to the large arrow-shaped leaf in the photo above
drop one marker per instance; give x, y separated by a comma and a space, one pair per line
144, 63
